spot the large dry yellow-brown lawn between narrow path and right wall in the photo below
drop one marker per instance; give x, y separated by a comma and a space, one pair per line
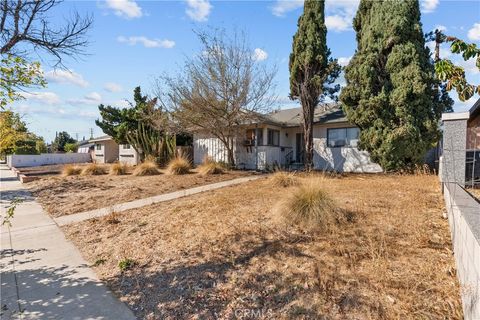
226, 254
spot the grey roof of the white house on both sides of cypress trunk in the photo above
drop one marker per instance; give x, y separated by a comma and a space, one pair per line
324, 113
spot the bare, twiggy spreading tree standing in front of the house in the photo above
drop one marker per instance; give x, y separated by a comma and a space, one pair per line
222, 88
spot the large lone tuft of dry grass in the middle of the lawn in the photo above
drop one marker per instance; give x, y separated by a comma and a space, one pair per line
310, 207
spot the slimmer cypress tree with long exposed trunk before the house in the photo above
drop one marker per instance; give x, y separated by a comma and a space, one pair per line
312, 71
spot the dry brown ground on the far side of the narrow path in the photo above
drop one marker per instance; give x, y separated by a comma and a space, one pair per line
67, 195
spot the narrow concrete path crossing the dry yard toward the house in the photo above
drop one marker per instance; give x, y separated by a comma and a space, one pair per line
74, 218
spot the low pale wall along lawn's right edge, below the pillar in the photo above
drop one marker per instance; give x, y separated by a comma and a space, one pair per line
464, 219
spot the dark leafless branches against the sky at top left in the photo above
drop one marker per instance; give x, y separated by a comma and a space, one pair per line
24, 26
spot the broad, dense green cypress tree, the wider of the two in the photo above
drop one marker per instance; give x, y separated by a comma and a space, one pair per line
391, 92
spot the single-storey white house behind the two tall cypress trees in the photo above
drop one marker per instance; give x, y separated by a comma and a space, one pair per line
277, 140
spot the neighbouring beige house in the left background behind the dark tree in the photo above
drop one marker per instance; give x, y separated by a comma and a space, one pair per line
108, 151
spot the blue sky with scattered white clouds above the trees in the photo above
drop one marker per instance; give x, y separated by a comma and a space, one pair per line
132, 42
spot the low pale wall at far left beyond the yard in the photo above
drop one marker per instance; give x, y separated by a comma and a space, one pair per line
29, 160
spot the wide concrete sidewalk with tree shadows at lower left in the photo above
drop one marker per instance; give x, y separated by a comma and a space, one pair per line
43, 275
